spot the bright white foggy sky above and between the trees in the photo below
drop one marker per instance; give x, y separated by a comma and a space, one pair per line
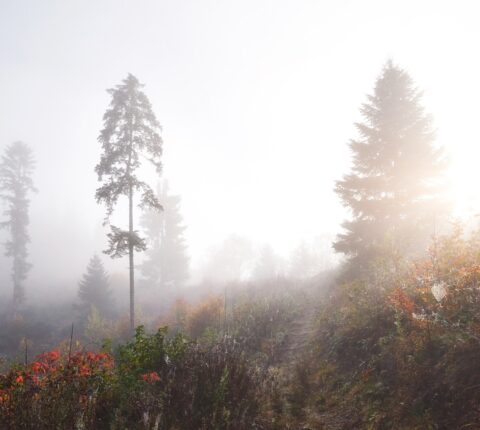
257, 100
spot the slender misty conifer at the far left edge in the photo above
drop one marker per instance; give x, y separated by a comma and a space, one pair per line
16, 183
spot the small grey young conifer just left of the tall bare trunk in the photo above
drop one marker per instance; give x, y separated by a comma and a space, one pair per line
94, 288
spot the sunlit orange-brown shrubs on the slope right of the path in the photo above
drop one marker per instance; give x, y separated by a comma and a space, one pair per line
393, 354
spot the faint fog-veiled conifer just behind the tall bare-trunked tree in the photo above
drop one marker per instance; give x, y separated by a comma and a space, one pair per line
167, 261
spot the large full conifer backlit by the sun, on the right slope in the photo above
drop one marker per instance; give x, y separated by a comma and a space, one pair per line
393, 190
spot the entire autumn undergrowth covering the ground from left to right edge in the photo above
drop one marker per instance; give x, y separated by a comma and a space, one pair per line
399, 351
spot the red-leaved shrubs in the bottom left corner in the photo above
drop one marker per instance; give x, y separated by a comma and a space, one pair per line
56, 392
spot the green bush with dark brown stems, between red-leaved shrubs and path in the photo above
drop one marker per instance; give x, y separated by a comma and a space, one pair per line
179, 384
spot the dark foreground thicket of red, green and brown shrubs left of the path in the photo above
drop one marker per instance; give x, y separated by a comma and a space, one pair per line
156, 382
